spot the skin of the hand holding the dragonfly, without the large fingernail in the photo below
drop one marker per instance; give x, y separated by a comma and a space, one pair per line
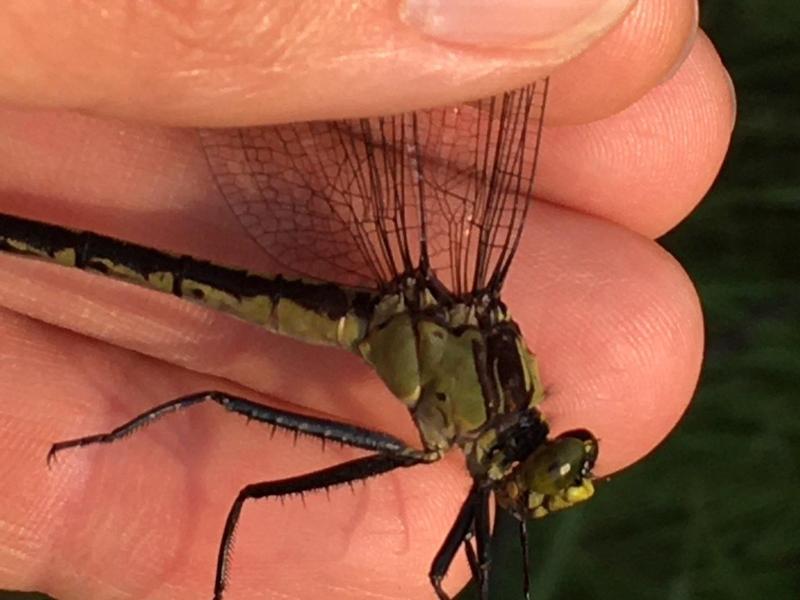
637, 129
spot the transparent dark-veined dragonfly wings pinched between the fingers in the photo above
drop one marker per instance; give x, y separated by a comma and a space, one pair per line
361, 201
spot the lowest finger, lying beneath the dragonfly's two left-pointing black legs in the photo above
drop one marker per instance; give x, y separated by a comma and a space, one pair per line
143, 518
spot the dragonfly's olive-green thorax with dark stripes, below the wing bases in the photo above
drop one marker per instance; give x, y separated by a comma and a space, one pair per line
461, 368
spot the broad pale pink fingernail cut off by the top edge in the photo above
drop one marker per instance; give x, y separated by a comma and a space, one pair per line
512, 22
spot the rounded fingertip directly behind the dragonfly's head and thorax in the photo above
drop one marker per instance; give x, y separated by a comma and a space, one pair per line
617, 325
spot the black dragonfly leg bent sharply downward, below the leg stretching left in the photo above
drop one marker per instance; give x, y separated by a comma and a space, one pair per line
345, 473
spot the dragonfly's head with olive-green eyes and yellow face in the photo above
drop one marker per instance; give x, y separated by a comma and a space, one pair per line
555, 476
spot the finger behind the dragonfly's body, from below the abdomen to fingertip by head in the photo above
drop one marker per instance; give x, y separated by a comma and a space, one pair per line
648, 294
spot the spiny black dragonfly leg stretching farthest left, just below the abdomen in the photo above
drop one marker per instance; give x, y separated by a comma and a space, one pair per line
324, 429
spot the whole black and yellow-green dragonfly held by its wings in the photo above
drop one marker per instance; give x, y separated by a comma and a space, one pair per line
396, 234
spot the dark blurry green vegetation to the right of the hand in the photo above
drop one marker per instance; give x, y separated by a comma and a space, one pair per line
713, 513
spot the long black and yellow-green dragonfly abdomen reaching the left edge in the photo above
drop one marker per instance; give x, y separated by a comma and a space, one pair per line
312, 311
